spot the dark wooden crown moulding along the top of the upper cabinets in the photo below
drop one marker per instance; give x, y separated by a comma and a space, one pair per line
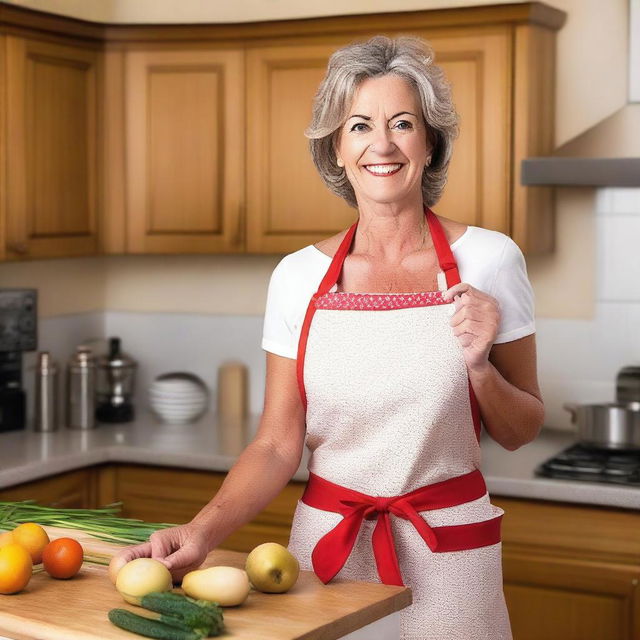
527, 12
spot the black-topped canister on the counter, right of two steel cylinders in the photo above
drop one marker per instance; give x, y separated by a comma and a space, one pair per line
116, 377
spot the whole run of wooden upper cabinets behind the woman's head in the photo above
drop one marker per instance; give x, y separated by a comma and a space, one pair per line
190, 138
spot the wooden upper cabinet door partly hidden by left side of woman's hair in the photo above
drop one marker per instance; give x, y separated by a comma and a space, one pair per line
288, 205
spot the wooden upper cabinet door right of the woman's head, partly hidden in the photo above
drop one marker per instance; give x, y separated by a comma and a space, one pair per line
478, 67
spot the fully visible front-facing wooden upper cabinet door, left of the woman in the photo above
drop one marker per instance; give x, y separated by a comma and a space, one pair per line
185, 150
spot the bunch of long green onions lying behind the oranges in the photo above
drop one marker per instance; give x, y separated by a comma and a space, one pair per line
102, 523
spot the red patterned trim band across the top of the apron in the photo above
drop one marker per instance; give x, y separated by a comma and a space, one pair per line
341, 300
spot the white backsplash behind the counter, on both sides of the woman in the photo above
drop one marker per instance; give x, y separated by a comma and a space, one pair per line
577, 359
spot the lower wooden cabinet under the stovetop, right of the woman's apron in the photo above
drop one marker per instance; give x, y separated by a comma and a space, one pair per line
570, 571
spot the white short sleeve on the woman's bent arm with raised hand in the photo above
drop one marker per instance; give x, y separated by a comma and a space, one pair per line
514, 294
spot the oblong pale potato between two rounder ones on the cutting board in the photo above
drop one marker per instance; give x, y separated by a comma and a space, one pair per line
227, 586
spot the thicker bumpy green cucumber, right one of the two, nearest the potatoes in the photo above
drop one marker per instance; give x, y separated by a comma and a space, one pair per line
200, 615
